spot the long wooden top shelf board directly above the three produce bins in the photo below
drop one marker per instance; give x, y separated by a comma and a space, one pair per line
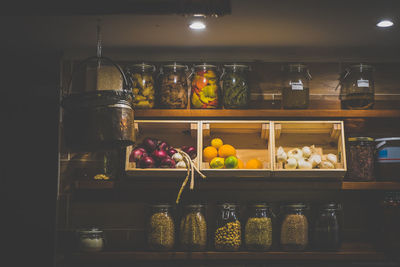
265, 113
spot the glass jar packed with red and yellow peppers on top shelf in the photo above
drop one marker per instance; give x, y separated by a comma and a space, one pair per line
205, 93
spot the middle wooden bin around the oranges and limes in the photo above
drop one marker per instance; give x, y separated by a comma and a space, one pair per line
251, 139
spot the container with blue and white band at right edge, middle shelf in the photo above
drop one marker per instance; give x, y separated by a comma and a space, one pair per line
388, 158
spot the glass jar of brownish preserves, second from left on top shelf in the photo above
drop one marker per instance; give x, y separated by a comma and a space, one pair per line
173, 91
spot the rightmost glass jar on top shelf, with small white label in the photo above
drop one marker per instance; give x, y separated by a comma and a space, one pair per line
357, 87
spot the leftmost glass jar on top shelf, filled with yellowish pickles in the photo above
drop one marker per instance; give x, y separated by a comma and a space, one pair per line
143, 85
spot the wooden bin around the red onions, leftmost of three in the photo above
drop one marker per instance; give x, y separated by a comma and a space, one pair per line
175, 133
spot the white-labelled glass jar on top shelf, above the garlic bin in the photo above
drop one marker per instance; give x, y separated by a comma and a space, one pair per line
296, 87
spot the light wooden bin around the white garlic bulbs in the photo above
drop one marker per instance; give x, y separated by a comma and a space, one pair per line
326, 136
